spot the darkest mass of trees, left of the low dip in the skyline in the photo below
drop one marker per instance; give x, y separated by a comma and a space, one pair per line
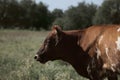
23, 14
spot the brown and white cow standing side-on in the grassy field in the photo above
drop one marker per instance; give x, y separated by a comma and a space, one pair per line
93, 52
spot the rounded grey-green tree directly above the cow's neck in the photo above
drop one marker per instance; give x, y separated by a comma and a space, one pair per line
78, 17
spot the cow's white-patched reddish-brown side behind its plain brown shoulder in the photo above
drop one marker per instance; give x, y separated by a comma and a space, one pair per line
108, 47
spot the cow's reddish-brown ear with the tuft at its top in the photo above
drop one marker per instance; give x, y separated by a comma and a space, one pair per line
57, 31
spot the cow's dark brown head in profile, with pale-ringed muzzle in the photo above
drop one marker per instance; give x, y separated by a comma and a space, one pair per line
48, 49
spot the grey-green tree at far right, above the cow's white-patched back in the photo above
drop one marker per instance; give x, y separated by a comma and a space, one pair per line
108, 13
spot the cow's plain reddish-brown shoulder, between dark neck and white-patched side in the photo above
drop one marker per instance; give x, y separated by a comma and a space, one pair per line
89, 36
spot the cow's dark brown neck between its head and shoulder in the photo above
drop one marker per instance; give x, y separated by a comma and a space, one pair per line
76, 57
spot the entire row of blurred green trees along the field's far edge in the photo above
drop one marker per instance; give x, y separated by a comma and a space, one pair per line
26, 14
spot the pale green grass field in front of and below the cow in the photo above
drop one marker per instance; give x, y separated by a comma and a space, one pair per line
17, 50
